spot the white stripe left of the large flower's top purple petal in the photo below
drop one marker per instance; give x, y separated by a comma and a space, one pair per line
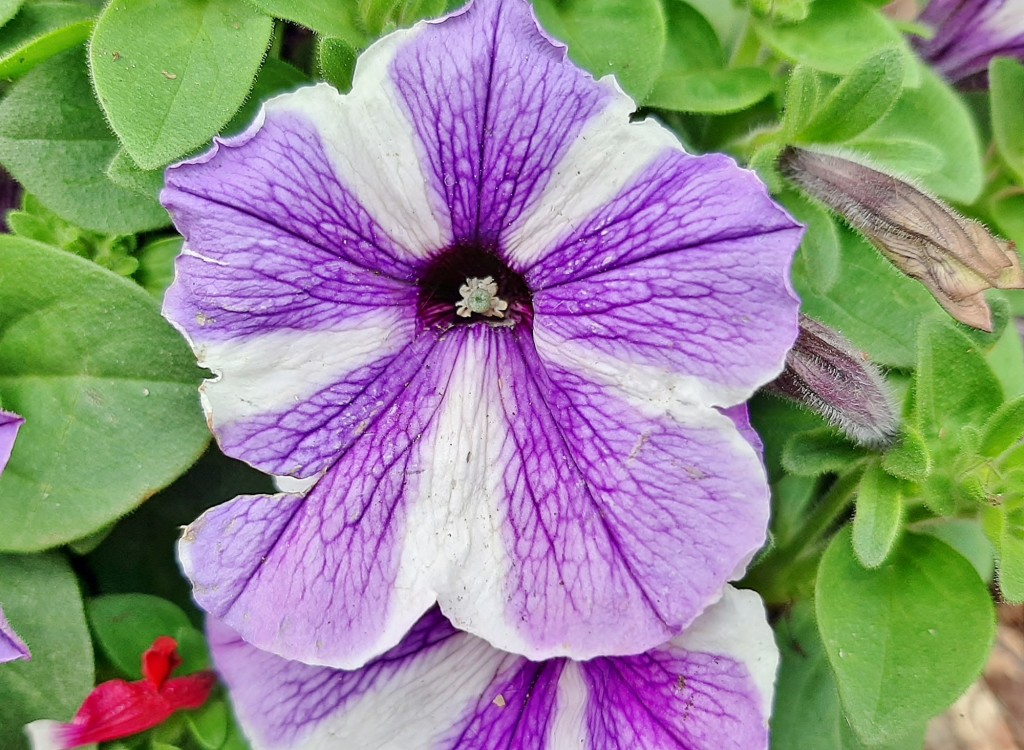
374, 148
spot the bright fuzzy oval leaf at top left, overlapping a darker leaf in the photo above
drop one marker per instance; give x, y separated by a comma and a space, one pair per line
170, 75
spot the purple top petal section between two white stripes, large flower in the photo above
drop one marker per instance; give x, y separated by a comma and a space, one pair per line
496, 105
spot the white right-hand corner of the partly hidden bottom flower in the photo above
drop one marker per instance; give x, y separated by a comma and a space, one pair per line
736, 627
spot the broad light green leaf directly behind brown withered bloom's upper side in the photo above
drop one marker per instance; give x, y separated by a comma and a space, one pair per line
951, 129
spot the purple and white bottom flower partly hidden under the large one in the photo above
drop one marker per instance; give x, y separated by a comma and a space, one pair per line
710, 689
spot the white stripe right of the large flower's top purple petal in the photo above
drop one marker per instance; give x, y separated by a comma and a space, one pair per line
609, 153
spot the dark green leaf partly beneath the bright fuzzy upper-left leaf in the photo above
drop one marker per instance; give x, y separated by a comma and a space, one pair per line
55, 141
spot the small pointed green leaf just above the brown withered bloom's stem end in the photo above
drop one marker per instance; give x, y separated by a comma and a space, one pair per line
860, 101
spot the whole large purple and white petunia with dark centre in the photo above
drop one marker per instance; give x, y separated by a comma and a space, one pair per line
498, 322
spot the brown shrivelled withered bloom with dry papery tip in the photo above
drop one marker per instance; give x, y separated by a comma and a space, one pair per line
956, 259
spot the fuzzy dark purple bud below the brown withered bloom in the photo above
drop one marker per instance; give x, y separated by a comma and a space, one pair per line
825, 373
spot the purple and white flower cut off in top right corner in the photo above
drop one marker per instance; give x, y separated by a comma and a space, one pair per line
969, 34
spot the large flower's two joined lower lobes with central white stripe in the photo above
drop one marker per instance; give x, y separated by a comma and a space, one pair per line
544, 513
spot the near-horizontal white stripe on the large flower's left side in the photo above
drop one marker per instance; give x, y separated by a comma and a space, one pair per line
273, 372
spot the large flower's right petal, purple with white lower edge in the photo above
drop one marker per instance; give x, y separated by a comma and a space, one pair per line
675, 289
